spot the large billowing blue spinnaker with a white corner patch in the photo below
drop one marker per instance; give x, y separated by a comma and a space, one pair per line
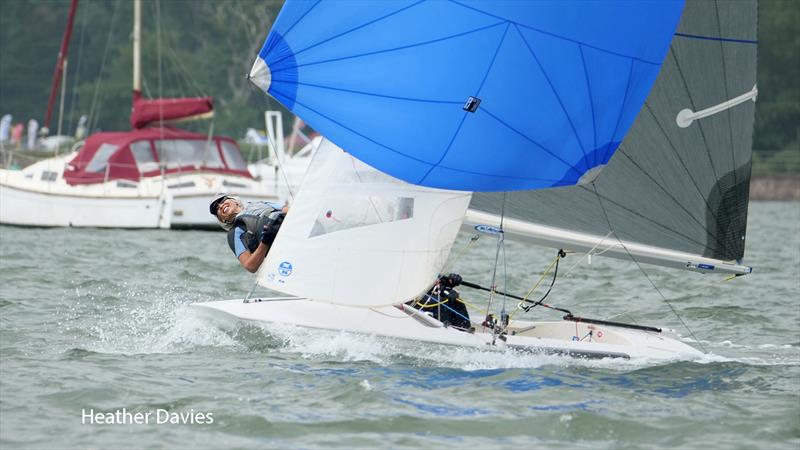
470, 95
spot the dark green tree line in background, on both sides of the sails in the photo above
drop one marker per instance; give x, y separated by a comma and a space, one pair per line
204, 47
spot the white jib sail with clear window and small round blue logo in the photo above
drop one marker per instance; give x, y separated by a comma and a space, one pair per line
355, 236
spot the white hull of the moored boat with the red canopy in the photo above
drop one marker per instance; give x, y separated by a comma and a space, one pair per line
39, 196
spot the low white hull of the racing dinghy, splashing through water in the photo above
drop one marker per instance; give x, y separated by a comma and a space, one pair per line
391, 321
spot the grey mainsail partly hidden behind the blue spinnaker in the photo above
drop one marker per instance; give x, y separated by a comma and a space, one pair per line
683, 189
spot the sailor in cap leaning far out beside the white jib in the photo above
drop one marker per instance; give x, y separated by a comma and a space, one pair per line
251, 228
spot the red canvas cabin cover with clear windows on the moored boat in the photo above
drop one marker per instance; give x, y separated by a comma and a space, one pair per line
133, 155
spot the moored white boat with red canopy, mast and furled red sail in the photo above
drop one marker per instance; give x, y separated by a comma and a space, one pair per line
154, 176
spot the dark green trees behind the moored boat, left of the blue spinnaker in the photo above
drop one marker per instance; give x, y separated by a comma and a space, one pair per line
189, 48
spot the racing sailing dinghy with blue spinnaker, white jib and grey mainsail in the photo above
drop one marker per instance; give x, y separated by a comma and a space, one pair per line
519, 120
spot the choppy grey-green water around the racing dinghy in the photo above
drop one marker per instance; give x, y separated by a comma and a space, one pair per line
99, 319
